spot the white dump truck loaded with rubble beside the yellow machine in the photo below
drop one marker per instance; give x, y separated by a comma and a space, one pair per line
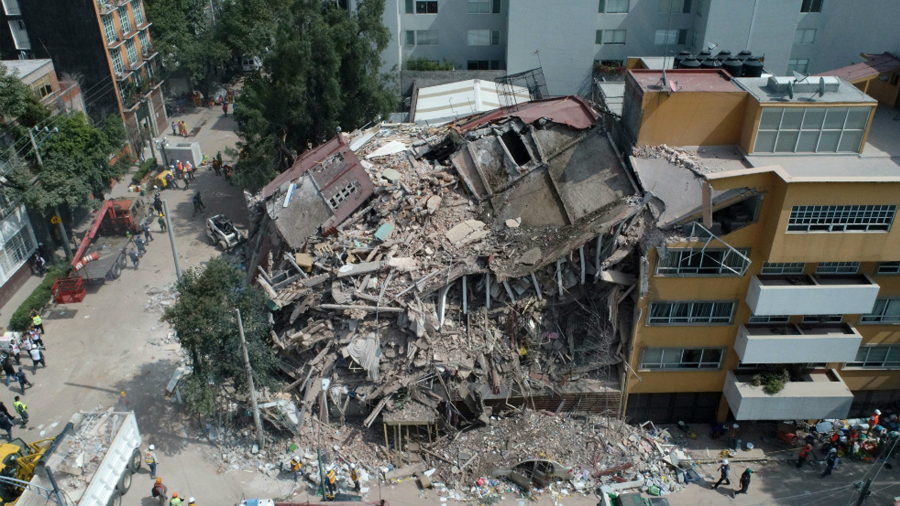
90, 463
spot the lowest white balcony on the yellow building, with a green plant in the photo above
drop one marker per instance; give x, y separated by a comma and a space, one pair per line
821, 394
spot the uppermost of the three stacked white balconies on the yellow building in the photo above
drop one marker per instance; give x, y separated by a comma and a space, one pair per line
802, 294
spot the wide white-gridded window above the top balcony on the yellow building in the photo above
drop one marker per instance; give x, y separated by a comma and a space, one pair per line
815, 217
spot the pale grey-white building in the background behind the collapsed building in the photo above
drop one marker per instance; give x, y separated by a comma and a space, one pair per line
566, 37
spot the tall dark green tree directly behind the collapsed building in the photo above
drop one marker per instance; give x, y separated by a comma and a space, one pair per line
322, 74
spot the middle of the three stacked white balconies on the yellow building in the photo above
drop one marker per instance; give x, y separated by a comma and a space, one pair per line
764, 343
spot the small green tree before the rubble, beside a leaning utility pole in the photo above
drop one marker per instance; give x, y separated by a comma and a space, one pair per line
204, 317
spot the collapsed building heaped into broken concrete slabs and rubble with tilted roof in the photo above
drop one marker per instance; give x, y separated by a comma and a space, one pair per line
434, 275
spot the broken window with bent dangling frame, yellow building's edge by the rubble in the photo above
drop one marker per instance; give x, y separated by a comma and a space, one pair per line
715, 262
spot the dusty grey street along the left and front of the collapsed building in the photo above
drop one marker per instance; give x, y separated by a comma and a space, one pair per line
114, 342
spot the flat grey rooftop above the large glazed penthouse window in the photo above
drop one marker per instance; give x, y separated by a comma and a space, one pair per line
818, 90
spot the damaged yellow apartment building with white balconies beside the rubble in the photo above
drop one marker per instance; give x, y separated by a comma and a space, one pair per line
775, 199
